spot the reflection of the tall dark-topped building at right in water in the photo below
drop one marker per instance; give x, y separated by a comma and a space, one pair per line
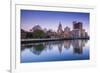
78, 46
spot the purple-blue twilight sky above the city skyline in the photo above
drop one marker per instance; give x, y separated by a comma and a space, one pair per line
51, 19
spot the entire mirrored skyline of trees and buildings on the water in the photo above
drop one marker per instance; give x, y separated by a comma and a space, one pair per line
38, 48
